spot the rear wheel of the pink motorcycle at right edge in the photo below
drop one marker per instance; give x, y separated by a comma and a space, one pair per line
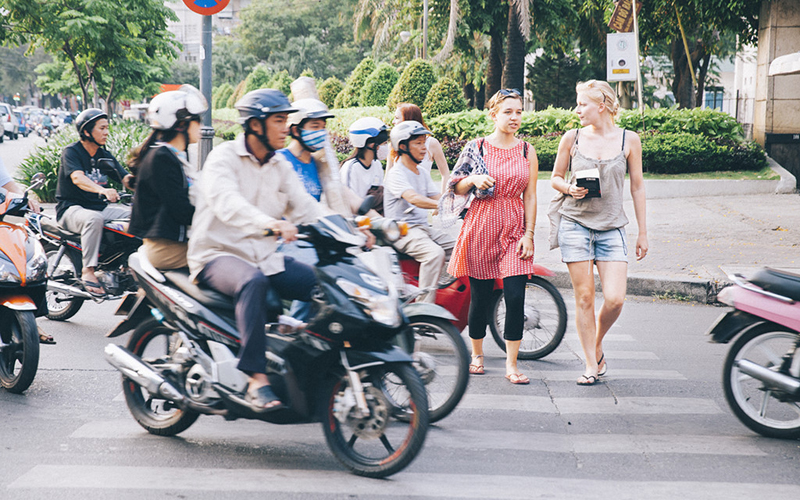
767, 411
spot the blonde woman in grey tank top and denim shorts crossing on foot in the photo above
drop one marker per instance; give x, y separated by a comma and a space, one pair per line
592, 228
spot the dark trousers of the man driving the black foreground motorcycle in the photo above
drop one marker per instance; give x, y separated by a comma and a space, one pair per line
257, 300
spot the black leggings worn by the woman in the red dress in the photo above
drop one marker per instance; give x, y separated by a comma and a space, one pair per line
481, 306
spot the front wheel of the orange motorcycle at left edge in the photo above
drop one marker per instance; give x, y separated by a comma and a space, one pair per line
19, 355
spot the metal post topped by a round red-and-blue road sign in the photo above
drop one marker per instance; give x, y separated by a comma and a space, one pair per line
206, 8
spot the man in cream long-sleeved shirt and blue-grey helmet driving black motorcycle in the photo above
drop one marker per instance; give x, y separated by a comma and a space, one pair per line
244, 190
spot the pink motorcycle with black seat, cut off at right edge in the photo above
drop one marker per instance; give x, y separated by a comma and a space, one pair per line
761, 375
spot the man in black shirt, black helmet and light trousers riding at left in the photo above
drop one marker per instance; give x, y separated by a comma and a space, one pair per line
81, 187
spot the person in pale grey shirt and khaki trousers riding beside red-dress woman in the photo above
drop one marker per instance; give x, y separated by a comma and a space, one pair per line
409, 194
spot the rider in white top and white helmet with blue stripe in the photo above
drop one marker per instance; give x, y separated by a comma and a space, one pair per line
363, 171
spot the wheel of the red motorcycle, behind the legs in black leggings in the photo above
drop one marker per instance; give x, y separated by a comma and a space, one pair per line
545, 319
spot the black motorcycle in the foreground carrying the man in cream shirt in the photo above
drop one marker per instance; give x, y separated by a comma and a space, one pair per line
340, 370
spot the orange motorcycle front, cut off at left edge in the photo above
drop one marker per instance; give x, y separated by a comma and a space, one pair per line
23, 277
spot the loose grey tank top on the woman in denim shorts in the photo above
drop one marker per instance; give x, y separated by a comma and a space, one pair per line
606, 212
